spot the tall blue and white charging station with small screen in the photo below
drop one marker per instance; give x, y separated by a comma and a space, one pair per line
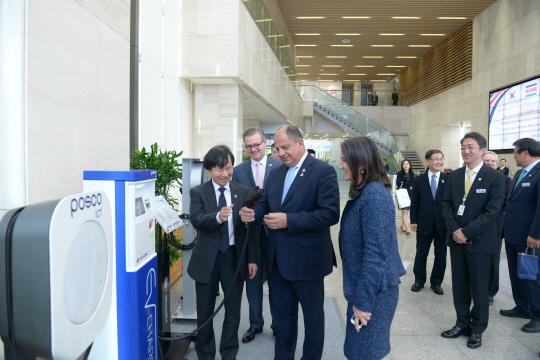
131, 330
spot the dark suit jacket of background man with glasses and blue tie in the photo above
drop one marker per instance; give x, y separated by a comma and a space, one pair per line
424, 210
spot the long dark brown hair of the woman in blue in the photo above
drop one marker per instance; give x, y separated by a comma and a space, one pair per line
362, 151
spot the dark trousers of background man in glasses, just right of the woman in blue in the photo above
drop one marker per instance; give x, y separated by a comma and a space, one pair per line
423, 244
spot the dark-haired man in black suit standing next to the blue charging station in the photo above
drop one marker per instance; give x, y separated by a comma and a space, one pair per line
221, 235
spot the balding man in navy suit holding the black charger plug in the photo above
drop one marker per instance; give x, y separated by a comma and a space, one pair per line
300, 205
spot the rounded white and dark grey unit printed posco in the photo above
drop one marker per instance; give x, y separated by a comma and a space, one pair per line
56, 277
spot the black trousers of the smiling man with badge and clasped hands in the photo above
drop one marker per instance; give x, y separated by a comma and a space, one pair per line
470, 271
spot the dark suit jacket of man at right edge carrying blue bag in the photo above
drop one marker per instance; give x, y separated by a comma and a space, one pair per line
522, 217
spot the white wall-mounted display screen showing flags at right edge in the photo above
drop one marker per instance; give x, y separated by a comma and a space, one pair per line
513, 114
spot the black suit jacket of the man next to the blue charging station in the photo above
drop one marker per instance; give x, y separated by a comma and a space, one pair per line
203, 210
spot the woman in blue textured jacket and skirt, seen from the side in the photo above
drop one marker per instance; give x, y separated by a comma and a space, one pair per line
369, 251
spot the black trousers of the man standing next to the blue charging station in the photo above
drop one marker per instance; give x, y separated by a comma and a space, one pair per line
223, 273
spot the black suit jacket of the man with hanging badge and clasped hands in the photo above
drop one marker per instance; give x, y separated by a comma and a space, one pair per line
482, 208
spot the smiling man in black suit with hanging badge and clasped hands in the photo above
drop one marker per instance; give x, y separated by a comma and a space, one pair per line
473, 201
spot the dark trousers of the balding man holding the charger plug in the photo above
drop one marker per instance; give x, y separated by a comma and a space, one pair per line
285, 296
